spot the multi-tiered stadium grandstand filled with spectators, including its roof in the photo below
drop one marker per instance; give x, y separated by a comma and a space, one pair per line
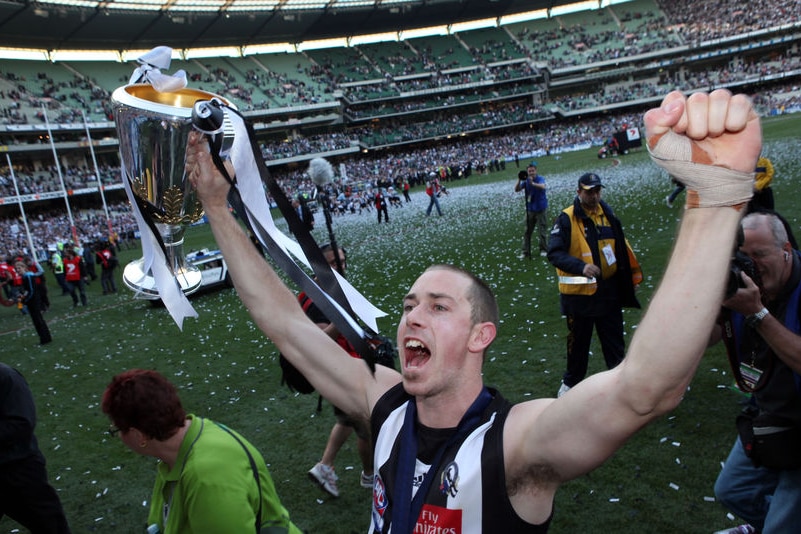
460, 84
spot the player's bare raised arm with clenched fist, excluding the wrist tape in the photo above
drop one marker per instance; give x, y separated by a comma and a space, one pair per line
576, 433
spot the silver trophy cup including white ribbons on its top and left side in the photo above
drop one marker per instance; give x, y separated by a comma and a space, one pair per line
153, 114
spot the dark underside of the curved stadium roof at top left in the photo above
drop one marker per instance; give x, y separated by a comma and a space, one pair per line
139, 24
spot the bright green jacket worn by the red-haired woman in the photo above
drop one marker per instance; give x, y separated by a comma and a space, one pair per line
211, 487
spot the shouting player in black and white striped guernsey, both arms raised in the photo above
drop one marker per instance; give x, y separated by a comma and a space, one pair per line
452, 454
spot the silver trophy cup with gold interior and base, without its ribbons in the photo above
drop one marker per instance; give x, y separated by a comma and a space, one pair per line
153, 128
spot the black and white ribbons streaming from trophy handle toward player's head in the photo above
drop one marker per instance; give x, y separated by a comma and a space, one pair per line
341, 303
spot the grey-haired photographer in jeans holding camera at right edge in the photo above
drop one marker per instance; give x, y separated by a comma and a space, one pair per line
761, 479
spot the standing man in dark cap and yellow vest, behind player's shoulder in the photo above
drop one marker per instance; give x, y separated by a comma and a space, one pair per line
596, 278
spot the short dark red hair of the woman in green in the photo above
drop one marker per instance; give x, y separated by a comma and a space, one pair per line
145, 400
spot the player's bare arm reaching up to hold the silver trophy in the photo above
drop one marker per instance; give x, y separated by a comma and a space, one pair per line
344, 381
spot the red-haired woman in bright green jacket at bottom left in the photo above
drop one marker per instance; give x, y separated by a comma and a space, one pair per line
210, 479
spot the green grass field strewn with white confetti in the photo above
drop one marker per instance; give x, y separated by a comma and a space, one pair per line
227, 370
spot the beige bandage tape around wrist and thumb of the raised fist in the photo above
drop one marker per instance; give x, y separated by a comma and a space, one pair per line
708, 186
